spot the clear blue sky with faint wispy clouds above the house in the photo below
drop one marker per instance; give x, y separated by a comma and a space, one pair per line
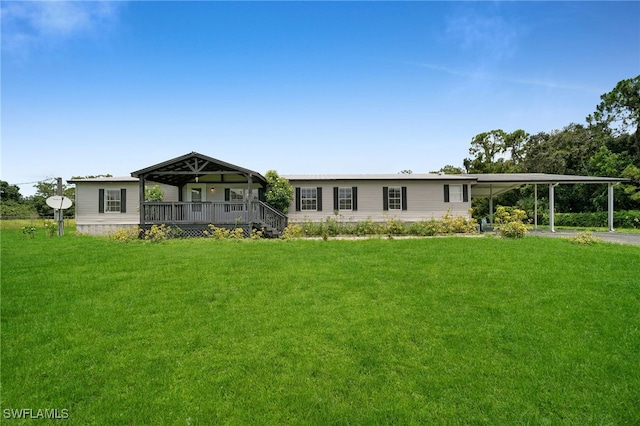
300, 87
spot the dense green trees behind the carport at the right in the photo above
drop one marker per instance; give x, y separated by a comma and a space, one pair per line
607, 144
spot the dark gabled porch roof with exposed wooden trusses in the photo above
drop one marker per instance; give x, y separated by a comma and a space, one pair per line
186, 168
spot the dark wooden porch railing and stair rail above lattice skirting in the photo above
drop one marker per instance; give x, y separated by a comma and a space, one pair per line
226, 214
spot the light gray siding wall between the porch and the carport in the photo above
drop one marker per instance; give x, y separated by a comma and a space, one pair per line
425, 200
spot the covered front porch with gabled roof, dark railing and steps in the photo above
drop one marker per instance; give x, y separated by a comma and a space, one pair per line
209, 191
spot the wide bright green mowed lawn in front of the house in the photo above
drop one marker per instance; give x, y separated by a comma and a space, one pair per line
415, 331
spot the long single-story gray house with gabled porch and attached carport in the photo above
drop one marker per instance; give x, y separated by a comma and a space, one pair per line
201, 190
